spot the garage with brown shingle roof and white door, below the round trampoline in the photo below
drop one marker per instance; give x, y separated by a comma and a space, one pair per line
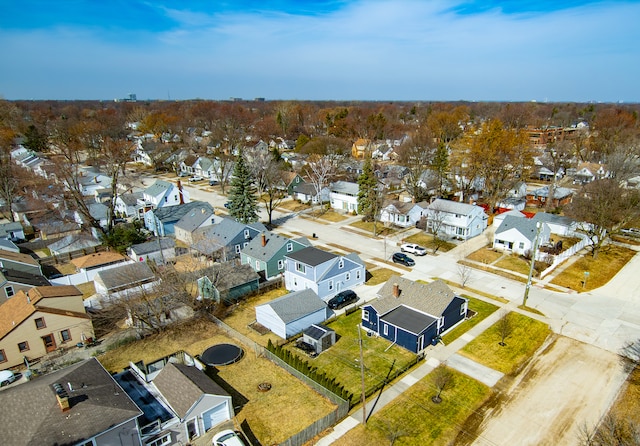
198, 402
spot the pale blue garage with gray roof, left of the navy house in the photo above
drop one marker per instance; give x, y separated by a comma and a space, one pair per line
289, 315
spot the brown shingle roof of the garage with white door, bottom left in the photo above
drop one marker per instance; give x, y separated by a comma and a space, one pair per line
182, 386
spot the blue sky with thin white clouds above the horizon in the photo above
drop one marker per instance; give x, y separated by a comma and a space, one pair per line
372, 50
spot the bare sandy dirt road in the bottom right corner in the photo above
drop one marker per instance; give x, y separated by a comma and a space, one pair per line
567, 384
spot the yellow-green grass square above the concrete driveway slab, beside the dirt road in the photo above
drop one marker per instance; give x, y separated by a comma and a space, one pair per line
527, 335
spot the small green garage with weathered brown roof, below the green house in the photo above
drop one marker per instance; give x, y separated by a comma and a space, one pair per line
228, 282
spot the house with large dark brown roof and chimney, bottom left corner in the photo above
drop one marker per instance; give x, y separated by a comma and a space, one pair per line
78, 405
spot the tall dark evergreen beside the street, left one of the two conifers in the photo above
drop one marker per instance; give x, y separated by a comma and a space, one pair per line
243, 204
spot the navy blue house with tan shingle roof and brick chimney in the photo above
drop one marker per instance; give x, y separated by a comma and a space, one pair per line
413, 314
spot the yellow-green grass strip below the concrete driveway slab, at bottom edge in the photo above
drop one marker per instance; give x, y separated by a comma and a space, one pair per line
418, 419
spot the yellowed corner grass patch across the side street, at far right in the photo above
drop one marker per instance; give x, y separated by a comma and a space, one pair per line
601, 269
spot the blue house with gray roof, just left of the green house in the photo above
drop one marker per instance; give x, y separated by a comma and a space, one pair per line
225, 240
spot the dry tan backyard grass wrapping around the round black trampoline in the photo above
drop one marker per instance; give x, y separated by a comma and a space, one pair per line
273, 416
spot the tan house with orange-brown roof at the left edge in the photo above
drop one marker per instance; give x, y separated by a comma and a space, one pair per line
40, 321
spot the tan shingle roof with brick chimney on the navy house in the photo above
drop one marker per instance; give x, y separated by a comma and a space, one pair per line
431, 298
